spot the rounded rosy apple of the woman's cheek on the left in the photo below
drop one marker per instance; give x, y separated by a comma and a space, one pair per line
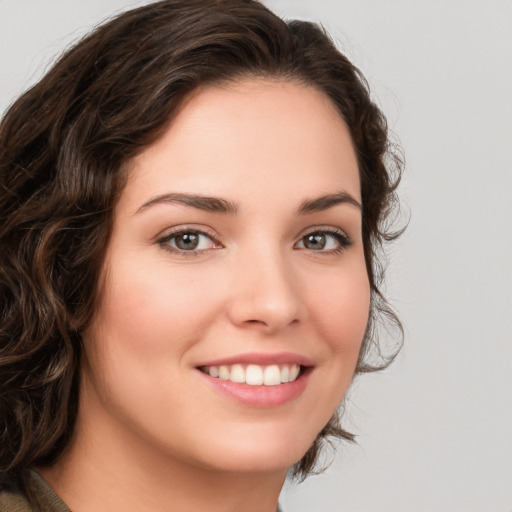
147, 310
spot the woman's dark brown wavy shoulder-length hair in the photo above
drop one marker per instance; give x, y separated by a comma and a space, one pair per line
63, 146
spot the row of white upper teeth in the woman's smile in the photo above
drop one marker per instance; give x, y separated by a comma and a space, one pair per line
255, 375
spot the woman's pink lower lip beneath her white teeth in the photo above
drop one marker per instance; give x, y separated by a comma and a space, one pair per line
260, 396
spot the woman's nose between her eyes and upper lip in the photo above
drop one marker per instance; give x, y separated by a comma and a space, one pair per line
265, 294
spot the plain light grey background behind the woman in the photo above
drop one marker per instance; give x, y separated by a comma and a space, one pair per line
434, 430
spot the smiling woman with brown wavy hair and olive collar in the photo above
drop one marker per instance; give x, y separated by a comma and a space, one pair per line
192, 201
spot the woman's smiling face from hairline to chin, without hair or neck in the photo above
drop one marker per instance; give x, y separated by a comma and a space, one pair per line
236, 251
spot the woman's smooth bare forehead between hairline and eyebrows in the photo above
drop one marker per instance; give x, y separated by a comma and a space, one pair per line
252, 135
